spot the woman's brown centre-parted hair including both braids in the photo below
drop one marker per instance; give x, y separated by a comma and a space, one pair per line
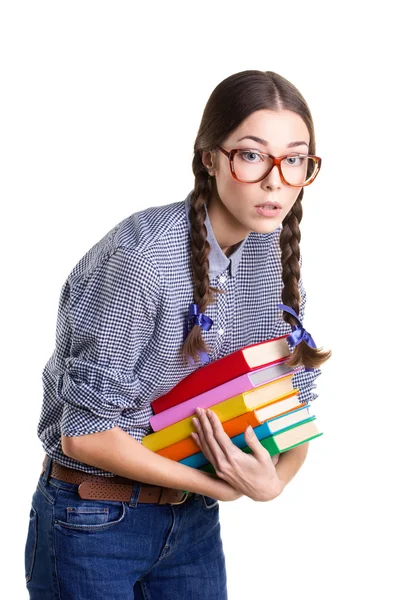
232, 101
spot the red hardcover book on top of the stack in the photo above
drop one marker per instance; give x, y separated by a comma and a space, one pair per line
224, 369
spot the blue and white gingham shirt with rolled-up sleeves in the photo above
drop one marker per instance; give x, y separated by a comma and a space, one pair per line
121, 318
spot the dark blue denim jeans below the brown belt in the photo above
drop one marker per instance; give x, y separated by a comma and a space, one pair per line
92, 549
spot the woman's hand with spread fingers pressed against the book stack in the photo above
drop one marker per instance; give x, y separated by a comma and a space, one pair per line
254, 475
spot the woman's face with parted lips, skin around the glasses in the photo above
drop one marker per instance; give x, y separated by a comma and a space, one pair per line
232, 208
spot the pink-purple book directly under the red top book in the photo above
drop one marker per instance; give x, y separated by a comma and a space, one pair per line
231, 388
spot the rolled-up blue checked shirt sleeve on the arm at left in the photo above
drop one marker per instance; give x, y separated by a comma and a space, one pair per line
111, 313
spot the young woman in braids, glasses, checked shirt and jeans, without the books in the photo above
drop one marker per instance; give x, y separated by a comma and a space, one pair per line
165, 291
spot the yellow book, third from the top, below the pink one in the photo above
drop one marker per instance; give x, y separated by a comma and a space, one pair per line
226, 410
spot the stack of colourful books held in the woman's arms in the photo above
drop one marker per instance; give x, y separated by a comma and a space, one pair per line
252, 386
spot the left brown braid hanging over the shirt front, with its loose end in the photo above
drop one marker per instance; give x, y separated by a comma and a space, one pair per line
200, 247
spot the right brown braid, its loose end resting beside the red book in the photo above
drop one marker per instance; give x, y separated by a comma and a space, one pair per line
290, 238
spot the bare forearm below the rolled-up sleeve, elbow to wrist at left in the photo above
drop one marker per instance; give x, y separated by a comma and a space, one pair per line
116, 451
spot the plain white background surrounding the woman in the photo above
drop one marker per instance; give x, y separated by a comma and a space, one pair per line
92, 95
